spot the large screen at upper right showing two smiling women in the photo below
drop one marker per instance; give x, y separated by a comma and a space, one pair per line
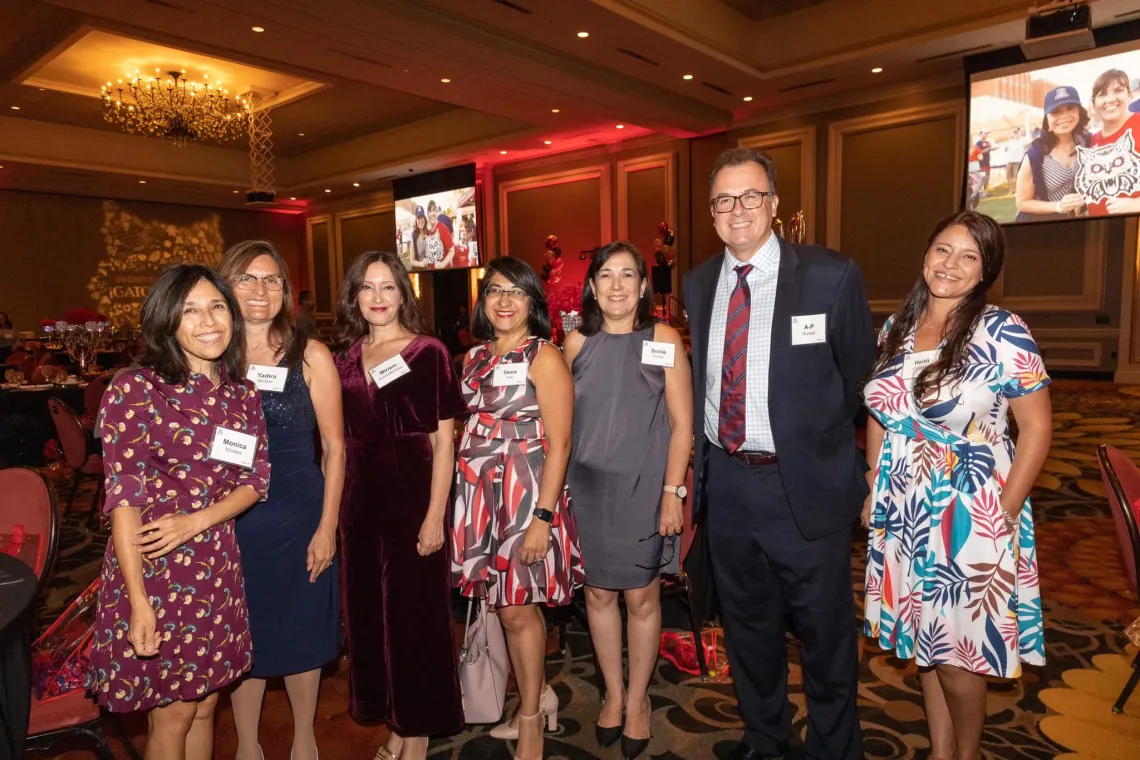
1058, 138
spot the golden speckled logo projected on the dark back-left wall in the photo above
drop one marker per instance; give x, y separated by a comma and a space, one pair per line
139, 250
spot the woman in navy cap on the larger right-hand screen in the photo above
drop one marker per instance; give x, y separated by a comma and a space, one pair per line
1046, 179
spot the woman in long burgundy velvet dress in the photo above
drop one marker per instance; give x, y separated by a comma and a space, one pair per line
401, 398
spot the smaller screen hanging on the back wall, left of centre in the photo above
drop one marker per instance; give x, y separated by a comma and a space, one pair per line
437, 220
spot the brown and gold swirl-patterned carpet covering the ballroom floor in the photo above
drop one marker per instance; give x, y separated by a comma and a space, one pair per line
1060, 710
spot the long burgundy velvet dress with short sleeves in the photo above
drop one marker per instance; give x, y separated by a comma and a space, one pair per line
397, 604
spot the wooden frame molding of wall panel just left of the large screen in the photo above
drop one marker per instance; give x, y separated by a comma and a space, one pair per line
837, 132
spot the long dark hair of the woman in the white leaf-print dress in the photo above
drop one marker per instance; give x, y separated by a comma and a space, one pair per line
963, 320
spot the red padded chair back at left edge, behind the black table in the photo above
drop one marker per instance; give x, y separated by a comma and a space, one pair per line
29, 501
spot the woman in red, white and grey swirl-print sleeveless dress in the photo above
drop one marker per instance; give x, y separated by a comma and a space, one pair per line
514, 540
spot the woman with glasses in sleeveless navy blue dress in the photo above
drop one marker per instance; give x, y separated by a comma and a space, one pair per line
289, 542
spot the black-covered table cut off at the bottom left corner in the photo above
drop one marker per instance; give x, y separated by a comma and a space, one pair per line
18, 598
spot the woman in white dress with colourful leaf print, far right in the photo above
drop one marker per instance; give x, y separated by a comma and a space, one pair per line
952, 567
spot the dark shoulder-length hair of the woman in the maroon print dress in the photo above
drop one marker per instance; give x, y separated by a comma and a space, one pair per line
162, 315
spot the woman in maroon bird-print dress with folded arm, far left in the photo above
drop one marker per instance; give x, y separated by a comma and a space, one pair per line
172, 627
